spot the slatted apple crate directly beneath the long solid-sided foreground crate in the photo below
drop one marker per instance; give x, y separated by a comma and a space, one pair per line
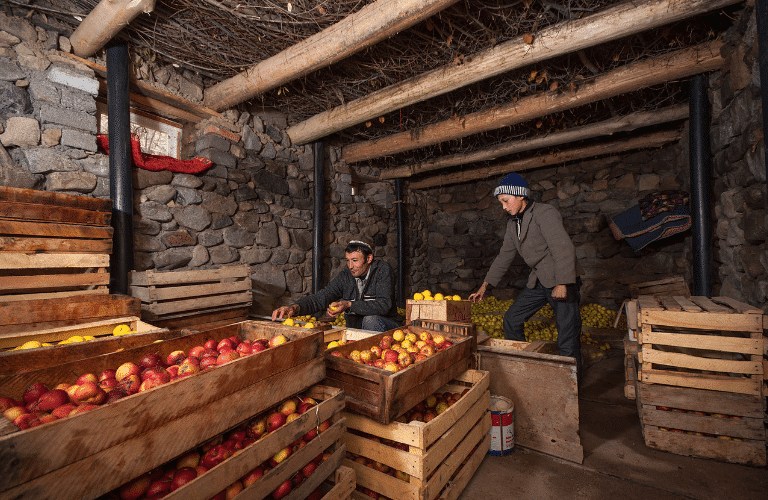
287, 451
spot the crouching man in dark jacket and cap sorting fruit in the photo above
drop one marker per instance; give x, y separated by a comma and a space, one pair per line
363, 291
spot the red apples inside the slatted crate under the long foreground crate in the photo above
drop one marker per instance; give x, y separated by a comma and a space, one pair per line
163, 480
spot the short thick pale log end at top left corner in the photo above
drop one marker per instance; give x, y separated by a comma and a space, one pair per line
104, 22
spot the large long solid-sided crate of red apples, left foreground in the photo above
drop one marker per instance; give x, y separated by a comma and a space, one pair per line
91, 418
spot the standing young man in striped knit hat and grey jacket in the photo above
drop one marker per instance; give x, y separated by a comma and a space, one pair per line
536, 232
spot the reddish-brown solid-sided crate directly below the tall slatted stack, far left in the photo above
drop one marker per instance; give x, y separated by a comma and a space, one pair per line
27, 316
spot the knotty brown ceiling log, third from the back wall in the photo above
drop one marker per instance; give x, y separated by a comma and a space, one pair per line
634, 76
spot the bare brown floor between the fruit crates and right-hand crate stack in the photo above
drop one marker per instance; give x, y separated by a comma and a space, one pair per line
617, 464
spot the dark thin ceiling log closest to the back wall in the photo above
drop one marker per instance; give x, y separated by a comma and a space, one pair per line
653, 140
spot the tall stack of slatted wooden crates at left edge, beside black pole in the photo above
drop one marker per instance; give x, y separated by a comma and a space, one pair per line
53, 244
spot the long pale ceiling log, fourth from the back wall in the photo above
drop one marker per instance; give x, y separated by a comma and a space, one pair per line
616, 22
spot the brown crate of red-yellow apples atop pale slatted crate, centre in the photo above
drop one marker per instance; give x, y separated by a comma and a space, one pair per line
388, 373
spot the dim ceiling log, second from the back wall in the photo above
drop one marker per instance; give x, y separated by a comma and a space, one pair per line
607, 127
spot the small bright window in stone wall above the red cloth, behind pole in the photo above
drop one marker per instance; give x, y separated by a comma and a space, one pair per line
157, 136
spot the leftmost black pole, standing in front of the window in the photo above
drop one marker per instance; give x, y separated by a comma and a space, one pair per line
120, 183
